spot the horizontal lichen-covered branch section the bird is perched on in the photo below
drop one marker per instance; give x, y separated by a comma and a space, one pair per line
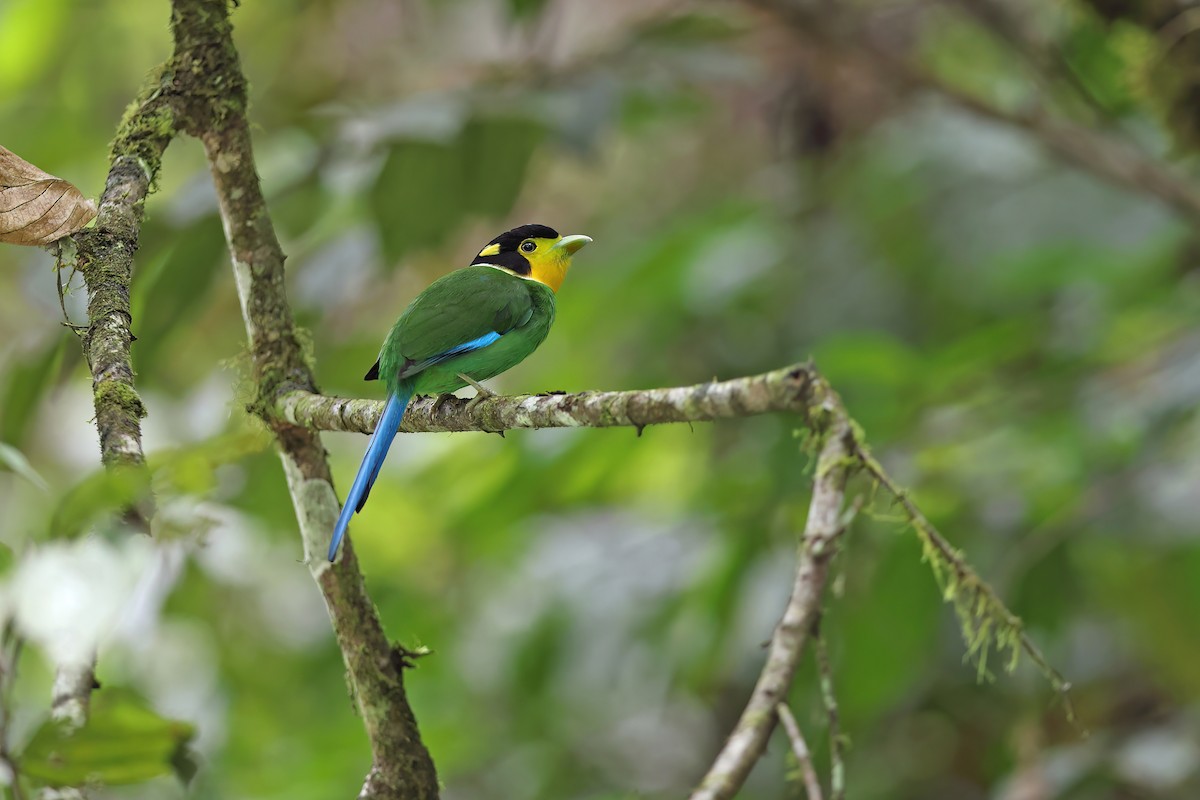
791, 389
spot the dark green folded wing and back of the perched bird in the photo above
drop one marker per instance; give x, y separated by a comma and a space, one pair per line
454, 312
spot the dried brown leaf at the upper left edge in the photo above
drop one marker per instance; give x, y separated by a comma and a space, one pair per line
37, 208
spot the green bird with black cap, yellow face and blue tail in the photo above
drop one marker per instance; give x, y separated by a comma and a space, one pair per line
467, 327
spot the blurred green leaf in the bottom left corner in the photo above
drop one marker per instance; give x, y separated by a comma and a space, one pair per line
124, 742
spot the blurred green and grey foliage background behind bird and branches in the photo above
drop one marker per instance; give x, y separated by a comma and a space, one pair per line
1017, 338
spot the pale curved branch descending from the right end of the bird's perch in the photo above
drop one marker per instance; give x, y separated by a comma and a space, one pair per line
825, 526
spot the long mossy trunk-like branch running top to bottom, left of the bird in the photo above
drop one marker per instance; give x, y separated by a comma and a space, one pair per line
217, 115
